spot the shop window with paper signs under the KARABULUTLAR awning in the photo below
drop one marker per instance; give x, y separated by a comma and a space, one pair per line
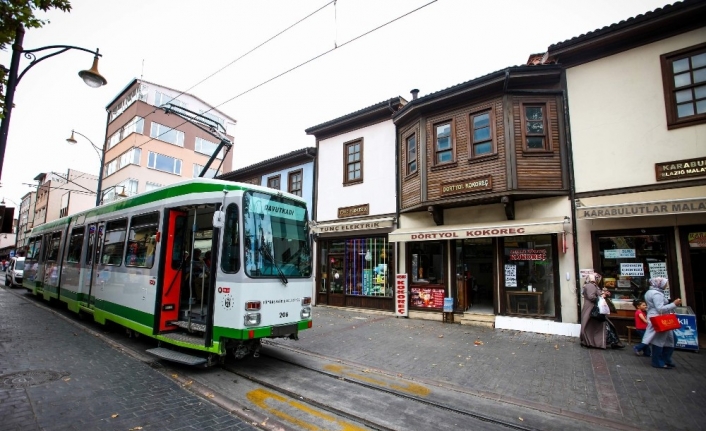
628, 261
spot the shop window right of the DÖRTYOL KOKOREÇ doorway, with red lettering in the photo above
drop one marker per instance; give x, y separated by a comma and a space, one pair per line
529, 275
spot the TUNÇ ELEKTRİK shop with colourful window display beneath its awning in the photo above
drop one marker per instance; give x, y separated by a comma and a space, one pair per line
355, 262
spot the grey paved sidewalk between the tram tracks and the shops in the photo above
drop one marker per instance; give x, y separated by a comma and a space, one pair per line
551, 372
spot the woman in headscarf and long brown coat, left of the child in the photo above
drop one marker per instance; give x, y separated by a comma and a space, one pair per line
596, 332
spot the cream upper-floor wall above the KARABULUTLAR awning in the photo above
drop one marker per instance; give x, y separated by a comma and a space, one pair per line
618, 118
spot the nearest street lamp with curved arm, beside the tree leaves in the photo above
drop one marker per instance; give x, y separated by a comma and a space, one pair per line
91, 77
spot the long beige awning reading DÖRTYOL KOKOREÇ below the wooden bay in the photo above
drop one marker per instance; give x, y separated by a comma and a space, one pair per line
482, 230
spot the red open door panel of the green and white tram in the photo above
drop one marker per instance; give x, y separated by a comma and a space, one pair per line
173, 274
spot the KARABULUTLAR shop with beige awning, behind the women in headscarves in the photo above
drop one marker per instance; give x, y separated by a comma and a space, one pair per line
646, 236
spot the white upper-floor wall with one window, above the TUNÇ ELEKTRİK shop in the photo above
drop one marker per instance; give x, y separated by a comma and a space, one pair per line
378, 186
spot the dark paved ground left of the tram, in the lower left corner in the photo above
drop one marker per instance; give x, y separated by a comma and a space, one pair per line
56, 376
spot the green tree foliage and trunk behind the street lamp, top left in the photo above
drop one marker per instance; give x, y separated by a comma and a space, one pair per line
16, 13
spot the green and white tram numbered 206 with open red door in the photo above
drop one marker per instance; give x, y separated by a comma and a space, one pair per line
143, 263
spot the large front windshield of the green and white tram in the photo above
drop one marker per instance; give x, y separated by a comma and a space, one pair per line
275, 237
